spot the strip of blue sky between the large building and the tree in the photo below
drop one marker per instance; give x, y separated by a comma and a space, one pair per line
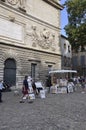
64, 20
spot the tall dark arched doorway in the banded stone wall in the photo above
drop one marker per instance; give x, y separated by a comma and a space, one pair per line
10, 72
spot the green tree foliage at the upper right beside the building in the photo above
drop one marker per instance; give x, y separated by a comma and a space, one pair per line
76, 28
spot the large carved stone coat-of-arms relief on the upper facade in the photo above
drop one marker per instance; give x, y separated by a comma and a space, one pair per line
45, 39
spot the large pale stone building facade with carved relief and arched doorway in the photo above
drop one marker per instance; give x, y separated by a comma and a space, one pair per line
29, 39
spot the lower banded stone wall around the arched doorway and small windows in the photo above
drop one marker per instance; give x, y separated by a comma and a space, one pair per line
24, 57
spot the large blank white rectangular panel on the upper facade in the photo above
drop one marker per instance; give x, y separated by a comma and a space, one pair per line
11, 30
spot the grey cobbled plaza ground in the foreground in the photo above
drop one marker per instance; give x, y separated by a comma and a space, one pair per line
55, 112
